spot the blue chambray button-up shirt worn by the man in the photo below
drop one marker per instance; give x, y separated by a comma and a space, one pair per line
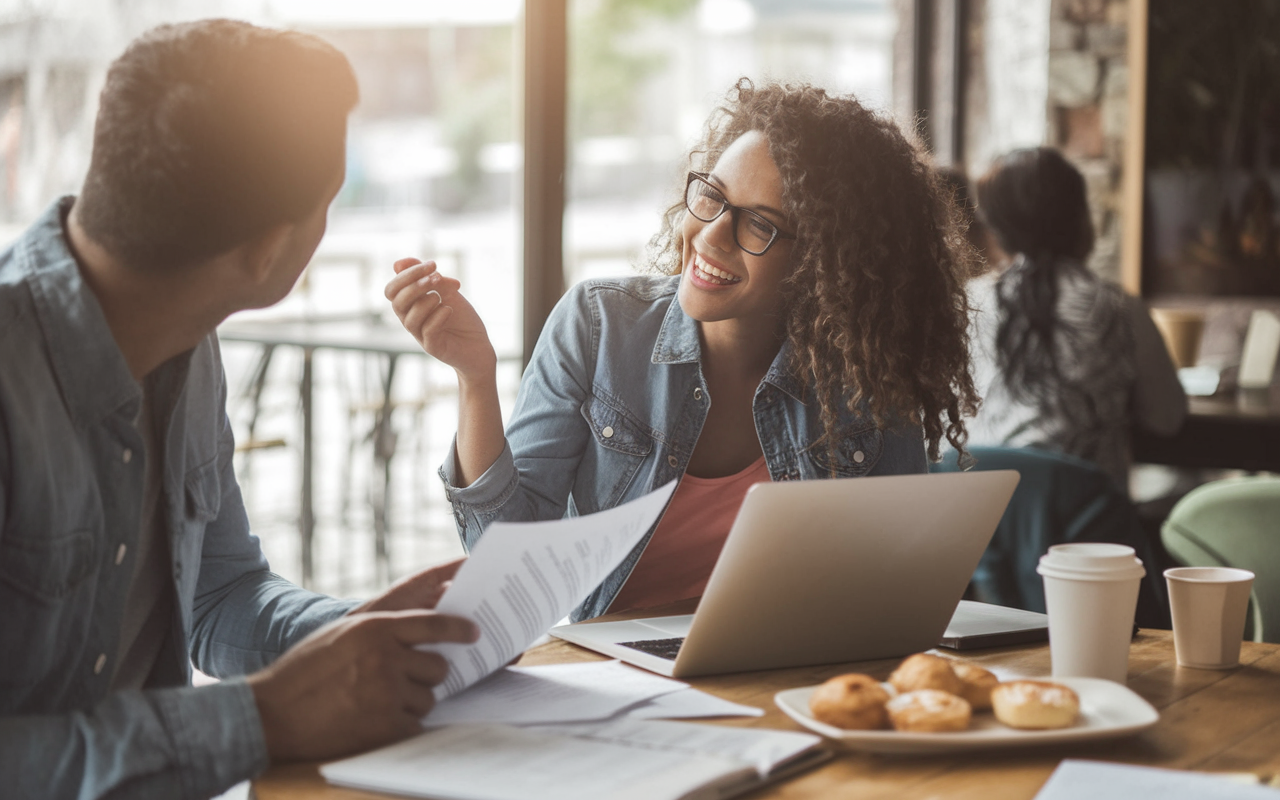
71, 497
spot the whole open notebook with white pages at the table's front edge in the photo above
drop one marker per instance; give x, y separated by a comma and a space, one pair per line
627, 760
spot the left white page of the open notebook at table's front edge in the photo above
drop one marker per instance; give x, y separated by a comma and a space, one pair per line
495, 762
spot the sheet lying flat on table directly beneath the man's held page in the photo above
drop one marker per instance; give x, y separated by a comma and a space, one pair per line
556, 693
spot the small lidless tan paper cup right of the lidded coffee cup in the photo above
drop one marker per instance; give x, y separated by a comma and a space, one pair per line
1209, 606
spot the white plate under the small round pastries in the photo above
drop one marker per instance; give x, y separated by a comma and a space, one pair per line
1108, 710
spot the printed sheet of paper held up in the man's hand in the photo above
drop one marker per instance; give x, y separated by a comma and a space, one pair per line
523, 578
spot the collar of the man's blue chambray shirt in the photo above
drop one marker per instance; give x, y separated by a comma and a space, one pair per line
92, 371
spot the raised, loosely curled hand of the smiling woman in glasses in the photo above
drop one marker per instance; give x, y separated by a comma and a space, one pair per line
432, 309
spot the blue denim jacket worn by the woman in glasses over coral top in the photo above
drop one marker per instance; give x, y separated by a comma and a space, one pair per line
611, 408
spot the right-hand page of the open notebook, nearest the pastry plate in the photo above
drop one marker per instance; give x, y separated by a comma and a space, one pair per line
762, 748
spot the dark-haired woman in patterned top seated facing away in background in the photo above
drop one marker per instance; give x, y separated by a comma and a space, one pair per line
1063, 359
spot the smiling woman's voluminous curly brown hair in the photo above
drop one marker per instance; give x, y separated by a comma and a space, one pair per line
875, 308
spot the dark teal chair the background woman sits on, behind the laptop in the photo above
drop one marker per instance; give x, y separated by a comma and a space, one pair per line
1059, 500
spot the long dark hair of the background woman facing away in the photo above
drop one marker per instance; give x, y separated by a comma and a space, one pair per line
1035, 204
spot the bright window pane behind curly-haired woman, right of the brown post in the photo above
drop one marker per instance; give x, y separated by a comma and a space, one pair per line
644, 75
